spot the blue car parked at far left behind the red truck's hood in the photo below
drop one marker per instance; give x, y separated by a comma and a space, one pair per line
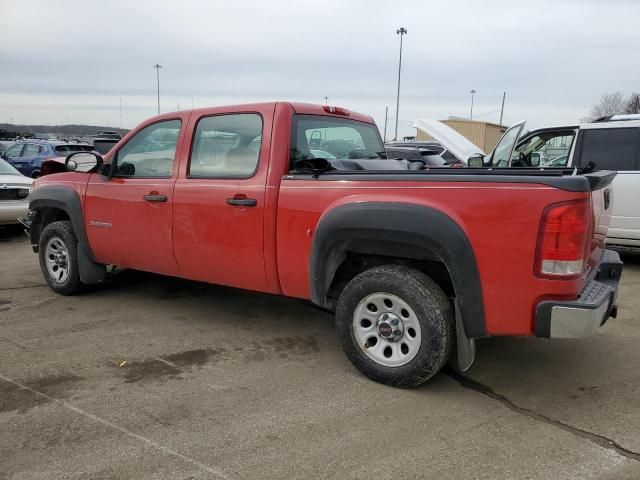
27, 156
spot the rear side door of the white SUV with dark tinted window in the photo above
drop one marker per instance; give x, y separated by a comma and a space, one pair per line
617, 149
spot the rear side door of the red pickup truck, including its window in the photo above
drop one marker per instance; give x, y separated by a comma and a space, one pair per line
219, 199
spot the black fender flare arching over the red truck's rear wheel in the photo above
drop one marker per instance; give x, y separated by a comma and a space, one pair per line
417, 231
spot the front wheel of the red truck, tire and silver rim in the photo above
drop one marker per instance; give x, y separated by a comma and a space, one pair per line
58, 253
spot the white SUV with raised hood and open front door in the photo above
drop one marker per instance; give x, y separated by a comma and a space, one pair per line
610, 143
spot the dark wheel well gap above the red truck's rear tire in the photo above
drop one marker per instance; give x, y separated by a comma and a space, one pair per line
355, 263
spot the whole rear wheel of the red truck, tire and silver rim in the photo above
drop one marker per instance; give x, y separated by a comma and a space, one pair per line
395, 325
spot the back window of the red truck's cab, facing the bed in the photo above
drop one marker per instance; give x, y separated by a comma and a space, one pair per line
312, 136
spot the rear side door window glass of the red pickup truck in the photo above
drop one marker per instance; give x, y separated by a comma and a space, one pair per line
226, 146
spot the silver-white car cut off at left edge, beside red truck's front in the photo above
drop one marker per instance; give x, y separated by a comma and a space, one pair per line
14, 194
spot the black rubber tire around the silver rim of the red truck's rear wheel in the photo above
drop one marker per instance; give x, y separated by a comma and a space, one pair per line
432, 309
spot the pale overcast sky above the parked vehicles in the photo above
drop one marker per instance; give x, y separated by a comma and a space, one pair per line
74, 61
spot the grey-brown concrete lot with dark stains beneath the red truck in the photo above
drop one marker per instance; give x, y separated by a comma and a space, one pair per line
221, 383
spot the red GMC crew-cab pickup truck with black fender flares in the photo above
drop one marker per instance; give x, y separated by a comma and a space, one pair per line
300, 200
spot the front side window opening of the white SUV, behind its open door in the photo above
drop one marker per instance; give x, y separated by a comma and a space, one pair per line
552, 148
